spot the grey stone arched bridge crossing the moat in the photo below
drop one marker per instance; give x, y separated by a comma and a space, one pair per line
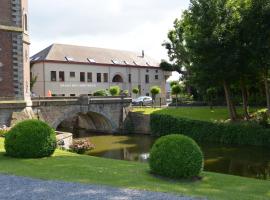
107, 113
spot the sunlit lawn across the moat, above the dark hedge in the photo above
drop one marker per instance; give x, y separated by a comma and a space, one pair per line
196, 113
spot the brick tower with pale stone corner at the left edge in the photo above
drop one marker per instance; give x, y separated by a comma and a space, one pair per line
14, 50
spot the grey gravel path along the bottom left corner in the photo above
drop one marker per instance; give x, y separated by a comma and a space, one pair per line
19, 188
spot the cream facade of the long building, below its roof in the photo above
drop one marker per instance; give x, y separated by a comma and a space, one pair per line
132, 77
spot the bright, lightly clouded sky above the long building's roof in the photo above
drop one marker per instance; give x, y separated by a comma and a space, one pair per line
132, 25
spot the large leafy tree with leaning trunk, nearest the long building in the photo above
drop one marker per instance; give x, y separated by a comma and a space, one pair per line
204, 42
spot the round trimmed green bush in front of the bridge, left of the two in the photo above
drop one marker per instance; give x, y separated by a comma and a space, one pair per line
30, 139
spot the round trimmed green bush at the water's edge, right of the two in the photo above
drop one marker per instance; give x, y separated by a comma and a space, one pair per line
176, 156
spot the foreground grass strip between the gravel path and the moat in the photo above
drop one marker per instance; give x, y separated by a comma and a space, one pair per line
66, 166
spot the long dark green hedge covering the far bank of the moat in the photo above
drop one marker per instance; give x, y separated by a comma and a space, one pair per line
244, 133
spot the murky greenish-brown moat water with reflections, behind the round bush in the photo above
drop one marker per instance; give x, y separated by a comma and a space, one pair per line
244, 161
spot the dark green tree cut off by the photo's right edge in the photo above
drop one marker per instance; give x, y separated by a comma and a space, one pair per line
256, 31
